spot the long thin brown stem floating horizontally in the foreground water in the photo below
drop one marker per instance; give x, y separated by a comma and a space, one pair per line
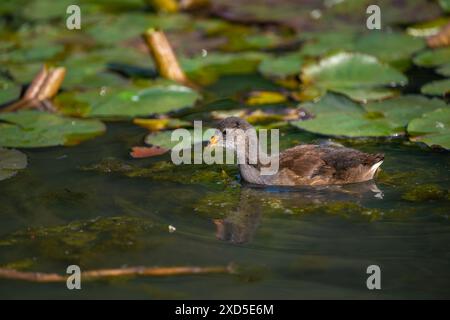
111, 273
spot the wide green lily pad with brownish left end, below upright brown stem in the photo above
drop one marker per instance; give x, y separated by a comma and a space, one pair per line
127, 103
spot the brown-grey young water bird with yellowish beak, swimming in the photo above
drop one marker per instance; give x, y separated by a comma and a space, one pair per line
304, 164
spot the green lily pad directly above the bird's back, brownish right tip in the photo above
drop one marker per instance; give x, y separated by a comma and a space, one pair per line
338, 116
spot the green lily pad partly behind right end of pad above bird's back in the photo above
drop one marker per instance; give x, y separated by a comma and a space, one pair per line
403, 109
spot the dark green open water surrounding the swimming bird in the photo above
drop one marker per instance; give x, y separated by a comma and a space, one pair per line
286, 243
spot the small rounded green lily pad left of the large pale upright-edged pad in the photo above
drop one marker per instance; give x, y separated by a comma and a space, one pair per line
281, 66
